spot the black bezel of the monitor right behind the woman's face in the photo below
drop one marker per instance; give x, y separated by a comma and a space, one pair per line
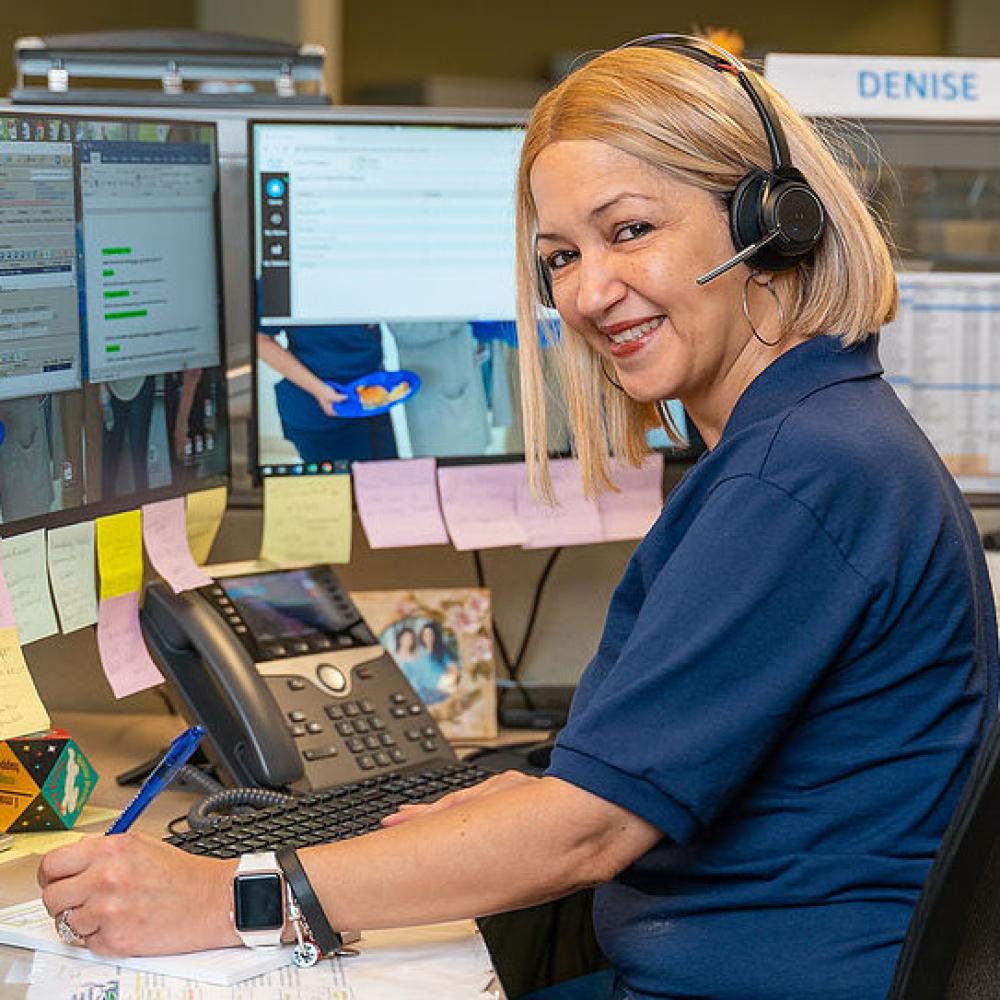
467, 118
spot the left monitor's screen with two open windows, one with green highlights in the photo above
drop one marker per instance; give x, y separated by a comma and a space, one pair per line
112, 377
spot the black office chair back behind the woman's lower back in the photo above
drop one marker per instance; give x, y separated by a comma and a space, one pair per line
952, 946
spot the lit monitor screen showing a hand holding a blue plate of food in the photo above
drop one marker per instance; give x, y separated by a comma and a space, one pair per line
384, 293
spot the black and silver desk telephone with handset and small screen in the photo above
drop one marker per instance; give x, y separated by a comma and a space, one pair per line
290, 683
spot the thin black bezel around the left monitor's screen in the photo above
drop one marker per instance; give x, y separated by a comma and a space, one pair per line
118, 505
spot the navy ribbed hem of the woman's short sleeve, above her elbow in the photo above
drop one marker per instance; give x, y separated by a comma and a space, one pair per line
629, 791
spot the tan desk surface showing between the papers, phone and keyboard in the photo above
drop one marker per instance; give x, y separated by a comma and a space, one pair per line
114, 743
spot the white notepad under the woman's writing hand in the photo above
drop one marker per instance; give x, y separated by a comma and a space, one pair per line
27, 925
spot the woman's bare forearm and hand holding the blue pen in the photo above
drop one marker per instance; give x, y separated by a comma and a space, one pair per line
516, 847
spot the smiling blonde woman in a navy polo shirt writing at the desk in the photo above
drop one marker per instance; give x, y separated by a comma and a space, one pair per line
800, 660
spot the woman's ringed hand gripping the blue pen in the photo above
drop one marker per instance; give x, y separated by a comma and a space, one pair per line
129, 894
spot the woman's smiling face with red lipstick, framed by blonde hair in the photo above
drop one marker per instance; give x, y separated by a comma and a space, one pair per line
624, 244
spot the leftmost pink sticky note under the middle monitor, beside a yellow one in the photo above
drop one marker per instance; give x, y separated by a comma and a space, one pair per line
398, 503
